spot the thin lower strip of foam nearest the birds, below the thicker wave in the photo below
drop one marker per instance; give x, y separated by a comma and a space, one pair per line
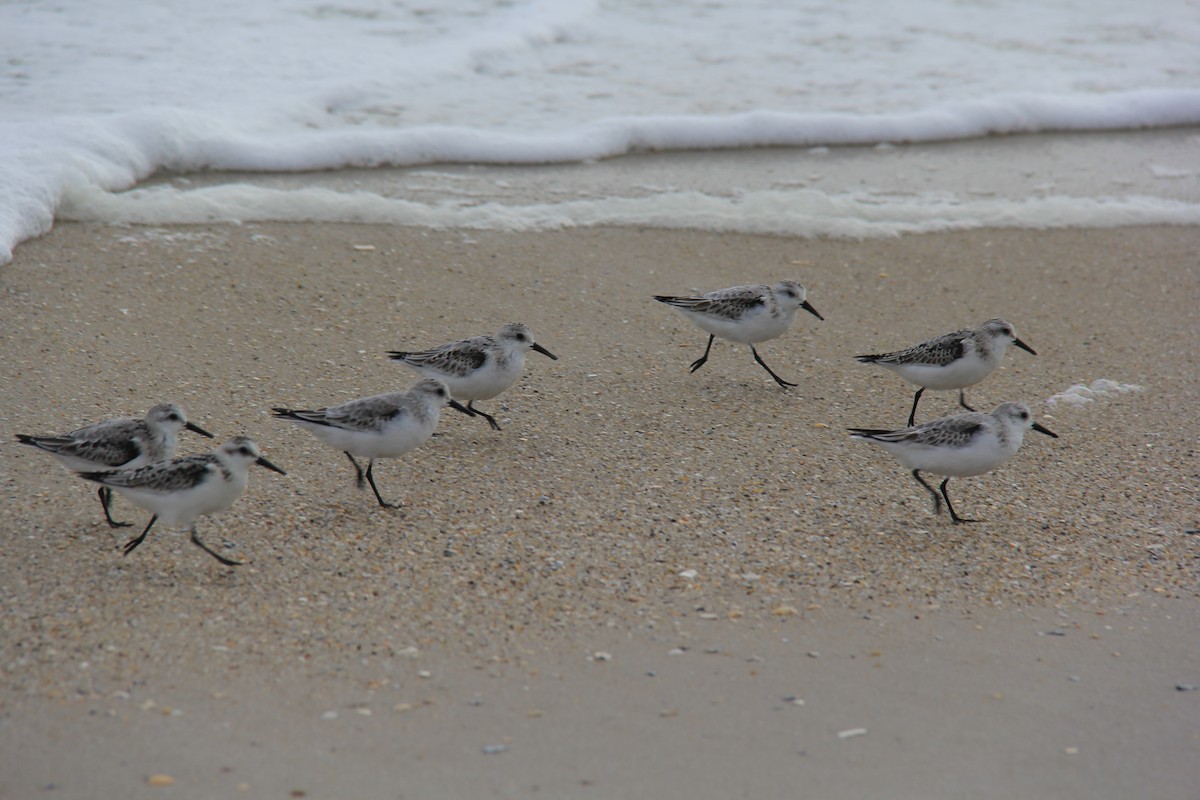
803, 213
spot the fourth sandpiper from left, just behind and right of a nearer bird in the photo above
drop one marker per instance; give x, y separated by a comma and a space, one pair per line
477, 369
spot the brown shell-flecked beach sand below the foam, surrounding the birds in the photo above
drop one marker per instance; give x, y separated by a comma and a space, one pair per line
650, 584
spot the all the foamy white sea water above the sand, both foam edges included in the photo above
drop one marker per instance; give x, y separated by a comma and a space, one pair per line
853, 118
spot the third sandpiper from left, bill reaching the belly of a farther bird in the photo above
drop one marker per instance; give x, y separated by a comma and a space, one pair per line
382, 426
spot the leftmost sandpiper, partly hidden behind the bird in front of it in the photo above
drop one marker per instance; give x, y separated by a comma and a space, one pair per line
125, 443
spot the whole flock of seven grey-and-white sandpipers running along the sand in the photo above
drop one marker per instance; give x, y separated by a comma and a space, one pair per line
136, 456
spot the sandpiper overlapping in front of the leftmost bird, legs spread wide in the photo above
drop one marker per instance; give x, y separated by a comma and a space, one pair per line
182, 490
